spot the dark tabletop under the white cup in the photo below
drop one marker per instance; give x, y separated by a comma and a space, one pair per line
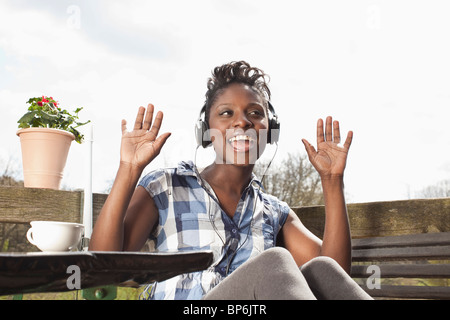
48, 272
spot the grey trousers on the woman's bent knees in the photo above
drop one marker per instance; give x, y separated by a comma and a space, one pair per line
274, 275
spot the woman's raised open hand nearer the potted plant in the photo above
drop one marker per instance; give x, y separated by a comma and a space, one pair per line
141, 145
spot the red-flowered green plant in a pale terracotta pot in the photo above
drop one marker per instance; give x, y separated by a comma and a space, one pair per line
46, 132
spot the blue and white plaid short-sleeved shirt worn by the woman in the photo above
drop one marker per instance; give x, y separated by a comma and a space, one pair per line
190, 218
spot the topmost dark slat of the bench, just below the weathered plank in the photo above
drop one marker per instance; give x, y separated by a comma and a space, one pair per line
414, 240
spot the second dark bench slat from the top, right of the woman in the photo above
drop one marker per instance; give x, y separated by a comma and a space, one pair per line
404, 253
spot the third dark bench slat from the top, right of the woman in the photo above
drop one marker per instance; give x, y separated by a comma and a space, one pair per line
405, 271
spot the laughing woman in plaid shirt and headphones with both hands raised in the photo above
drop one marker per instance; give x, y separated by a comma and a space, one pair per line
223, 208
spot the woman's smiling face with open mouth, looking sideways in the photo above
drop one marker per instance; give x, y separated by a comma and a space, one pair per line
238, 125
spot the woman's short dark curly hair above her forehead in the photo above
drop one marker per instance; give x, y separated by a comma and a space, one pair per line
236, 72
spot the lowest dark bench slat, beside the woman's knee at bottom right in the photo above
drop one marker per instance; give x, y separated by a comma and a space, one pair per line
410, 292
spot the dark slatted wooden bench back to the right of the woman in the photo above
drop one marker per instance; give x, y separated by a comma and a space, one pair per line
424, 256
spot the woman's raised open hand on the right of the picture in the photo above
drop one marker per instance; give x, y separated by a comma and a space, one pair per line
330, 158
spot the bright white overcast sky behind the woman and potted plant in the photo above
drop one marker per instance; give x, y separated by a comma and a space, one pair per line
380, 67
